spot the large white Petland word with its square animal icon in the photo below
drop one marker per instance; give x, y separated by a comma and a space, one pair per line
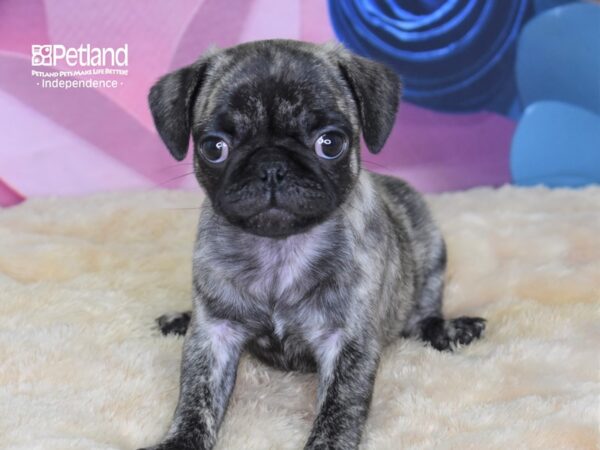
84, 55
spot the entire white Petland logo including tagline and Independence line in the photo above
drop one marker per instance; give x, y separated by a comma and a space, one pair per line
61, 67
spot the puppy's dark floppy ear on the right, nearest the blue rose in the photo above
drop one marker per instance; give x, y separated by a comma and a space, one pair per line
376, 90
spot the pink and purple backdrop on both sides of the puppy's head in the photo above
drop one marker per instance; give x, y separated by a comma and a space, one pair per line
70, 142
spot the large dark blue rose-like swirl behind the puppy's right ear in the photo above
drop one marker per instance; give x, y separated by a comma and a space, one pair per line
453, 55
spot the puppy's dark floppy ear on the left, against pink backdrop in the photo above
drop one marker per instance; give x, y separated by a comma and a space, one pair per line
171, 100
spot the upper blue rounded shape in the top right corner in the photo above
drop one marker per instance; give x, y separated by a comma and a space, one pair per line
558, 56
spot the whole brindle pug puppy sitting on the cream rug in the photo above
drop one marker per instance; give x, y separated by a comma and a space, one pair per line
302, 258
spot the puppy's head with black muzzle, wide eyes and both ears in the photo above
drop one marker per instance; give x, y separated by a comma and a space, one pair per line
276, 128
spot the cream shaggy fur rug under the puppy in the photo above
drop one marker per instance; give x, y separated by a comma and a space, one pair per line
82, 366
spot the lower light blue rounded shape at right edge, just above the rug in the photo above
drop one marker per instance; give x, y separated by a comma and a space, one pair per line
556, 144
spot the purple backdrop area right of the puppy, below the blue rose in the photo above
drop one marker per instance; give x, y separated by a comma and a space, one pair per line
439, 152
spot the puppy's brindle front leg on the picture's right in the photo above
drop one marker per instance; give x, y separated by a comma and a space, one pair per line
347, 367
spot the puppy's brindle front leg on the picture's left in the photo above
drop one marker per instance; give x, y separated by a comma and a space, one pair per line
211, 354
